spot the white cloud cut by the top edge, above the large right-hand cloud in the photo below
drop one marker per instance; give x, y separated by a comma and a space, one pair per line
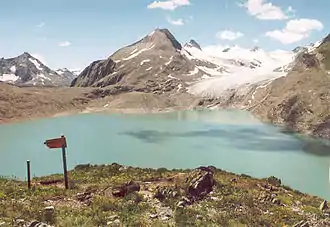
264, 10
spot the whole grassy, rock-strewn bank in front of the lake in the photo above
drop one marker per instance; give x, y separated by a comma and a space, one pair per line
157, 197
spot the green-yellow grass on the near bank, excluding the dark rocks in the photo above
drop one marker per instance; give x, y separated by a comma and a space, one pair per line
233, 202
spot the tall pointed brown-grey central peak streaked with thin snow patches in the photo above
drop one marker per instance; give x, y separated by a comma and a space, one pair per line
153, 64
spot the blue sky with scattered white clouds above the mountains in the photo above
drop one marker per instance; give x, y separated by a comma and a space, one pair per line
73, 33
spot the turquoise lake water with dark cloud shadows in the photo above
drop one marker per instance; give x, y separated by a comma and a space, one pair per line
231, 140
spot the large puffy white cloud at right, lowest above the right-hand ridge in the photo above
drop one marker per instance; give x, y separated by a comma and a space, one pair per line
295, 30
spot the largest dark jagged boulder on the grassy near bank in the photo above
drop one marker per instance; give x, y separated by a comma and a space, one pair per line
200, 183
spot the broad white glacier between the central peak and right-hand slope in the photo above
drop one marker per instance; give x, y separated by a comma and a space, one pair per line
234, 67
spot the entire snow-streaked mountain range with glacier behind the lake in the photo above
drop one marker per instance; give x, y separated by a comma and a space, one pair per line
289, 88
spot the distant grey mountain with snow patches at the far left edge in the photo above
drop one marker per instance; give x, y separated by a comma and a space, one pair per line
27, 70
